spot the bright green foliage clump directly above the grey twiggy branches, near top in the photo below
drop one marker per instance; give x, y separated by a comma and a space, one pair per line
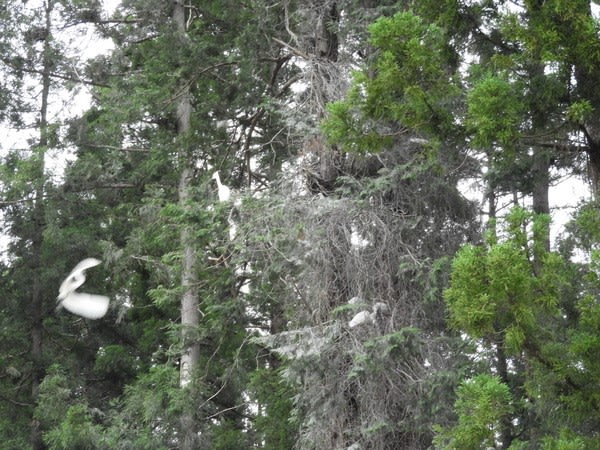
411, 87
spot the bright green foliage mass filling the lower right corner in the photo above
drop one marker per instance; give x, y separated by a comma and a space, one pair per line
532, 307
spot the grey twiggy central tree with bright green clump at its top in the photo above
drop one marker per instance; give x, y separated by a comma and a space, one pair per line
362, 245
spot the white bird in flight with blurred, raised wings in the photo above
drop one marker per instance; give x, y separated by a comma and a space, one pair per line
90, 306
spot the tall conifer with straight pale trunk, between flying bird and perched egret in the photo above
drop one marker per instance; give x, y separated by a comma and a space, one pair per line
162, 136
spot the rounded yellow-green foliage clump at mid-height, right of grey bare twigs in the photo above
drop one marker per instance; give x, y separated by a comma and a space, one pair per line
496, 289
